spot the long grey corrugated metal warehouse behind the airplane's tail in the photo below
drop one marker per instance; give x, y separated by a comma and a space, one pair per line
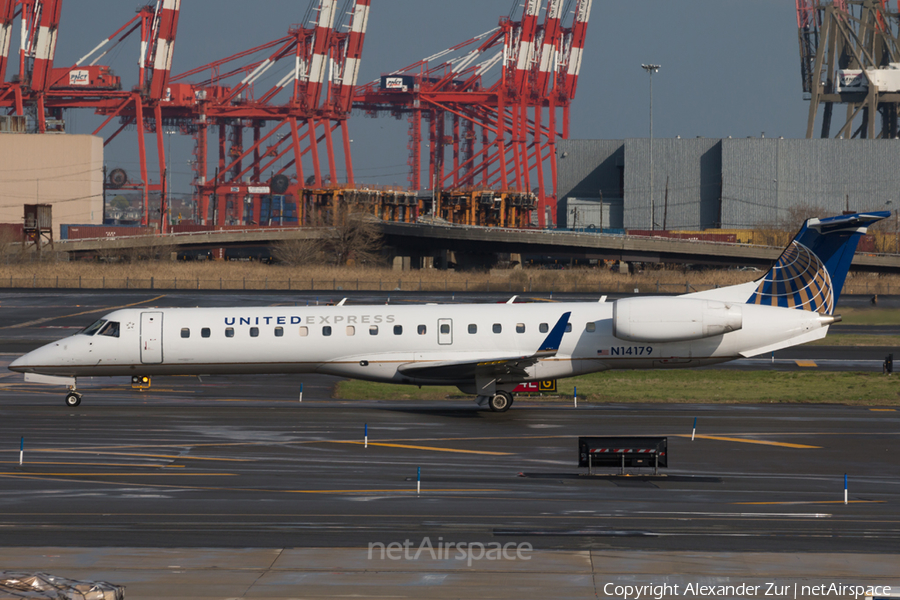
729, 183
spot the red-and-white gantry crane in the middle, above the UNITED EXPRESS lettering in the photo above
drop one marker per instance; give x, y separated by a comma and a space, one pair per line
318, 106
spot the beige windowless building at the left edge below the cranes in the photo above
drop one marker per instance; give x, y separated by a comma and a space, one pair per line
65, 171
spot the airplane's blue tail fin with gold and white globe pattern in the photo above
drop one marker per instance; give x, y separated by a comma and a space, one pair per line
811, 271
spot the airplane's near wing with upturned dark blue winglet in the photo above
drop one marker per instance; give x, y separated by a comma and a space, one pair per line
505, 368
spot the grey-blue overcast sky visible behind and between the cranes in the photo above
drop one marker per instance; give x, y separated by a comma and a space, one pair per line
729, 67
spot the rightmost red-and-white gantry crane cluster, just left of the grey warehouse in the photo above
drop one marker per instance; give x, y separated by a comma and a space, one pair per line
488, 143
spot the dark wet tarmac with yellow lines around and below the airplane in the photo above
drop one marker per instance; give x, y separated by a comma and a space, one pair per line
231, 487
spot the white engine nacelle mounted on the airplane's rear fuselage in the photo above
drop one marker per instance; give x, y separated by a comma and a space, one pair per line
673, 319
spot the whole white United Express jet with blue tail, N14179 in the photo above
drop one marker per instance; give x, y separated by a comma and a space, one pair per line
483, 349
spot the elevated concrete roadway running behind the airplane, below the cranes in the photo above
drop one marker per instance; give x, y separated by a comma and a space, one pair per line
425, 239
